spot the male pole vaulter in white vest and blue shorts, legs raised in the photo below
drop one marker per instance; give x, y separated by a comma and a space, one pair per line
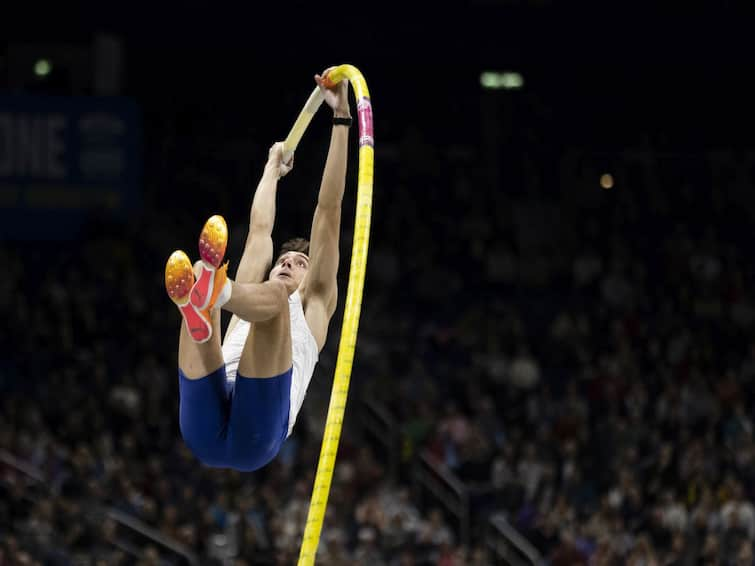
239, 402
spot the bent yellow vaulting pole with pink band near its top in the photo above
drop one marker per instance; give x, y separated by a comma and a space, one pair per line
339, 393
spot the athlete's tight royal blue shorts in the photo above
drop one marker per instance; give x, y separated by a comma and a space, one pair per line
241, 425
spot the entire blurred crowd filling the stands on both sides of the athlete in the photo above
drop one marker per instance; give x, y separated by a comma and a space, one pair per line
584, 365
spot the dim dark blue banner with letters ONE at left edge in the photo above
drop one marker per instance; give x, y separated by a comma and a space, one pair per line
63, 159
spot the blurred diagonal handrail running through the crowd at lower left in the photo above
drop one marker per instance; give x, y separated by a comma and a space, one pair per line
137, 534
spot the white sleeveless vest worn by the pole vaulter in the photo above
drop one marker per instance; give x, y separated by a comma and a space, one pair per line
304, 354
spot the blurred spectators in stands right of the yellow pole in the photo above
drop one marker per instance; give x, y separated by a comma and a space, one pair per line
588, 369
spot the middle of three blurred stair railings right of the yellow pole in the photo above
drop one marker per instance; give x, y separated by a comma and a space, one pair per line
447, 489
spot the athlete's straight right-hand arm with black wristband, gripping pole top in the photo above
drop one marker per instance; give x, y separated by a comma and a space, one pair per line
320, 293
